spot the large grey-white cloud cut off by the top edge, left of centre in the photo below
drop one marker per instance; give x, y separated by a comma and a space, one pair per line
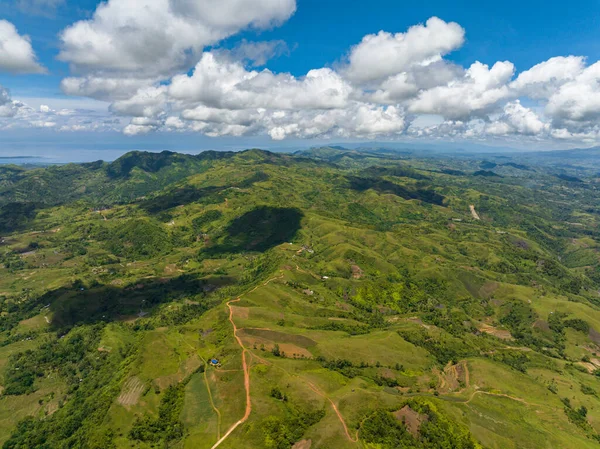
157, 37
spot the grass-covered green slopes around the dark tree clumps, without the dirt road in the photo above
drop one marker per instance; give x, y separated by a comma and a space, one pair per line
384, 235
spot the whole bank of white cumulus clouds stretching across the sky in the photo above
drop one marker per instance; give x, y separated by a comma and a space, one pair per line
149, 60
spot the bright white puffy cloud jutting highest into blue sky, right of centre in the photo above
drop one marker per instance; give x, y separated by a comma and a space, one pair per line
381, 55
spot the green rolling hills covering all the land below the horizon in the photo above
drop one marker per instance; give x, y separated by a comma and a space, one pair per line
348, 299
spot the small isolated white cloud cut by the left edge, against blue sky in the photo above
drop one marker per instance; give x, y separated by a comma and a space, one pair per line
16, 53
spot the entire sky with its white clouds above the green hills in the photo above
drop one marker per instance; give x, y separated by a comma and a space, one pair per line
351, 97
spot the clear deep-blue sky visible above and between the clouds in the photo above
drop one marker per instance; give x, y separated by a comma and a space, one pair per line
320, 32
